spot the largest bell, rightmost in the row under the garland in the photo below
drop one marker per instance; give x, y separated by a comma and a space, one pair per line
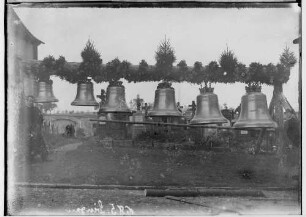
254, 112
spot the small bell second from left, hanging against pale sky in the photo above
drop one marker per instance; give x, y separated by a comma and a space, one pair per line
85, 96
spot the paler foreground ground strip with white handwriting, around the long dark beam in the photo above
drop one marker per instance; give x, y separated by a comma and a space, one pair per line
42, 201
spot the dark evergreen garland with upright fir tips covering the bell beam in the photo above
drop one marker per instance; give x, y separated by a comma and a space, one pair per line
228, 70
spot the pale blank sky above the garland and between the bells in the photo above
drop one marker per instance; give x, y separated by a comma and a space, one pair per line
198, 34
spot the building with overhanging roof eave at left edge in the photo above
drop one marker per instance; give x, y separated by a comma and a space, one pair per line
21, 46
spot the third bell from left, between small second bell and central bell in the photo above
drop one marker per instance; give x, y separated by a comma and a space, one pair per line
115, 100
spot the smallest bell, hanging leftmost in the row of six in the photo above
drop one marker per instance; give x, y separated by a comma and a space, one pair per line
45, 93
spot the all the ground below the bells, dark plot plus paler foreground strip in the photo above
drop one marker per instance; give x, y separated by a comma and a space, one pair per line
94, 162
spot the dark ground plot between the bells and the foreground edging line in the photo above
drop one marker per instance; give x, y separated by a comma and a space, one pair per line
121, 163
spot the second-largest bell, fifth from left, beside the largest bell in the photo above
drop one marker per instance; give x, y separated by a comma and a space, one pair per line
208, 111
